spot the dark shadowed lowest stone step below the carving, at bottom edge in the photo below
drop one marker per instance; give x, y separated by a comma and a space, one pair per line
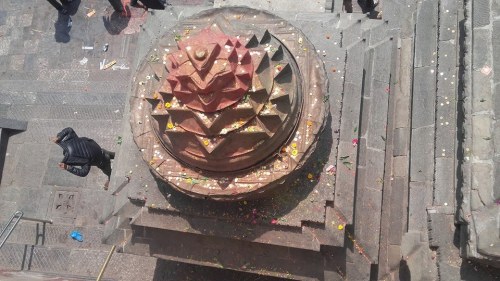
258, 258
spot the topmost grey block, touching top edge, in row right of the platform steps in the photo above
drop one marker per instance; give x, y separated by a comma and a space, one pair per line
426, 34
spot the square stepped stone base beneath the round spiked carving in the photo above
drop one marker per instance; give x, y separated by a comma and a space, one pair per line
324, 222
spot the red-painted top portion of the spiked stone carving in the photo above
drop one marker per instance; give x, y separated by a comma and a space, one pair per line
210, 71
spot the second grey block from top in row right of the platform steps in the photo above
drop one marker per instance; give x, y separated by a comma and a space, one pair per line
424, 97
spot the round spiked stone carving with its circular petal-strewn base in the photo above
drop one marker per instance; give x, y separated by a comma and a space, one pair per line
227, 105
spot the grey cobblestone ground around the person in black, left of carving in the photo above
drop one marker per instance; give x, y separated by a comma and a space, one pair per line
50, 76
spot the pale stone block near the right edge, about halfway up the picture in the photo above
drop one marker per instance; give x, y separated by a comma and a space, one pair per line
482, 146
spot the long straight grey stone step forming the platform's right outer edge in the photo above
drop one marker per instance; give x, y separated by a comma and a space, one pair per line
372, 146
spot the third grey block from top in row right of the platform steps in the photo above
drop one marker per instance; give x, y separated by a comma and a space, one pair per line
422, 154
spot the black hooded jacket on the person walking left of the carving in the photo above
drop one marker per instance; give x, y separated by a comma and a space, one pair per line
83, 152
